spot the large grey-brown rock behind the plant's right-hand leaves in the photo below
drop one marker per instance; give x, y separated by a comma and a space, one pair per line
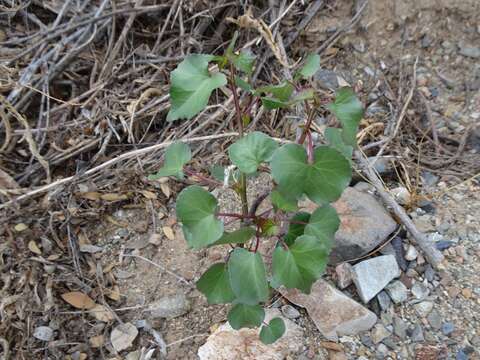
364, 225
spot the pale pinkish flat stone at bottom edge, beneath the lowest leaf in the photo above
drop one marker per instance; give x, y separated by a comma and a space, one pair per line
229, 344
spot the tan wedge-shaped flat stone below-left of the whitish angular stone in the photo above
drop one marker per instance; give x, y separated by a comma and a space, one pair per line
333, 313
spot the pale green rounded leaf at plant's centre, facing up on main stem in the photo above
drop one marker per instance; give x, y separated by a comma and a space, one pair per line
252, 150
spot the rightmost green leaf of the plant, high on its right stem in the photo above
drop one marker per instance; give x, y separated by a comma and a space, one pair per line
349, 111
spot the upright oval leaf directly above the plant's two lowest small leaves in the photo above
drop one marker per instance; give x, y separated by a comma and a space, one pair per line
247, 277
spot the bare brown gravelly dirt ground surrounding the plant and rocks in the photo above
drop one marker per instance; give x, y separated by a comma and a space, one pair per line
142, 258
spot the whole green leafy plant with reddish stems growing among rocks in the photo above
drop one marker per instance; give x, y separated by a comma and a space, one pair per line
303, 240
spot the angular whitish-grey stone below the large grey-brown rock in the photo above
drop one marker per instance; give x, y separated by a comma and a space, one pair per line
371, 276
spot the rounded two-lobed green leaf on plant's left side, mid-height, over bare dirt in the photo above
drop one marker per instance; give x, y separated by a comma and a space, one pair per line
196, 210
